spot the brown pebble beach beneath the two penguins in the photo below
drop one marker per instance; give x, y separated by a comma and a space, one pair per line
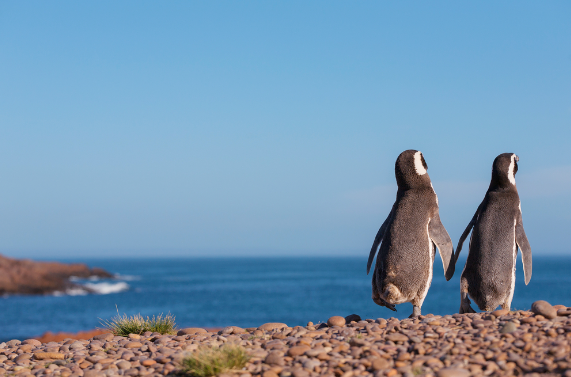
501, 343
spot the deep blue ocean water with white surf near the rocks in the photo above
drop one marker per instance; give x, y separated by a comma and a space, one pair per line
247, 292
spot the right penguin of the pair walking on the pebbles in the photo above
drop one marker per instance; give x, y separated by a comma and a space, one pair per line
489, 273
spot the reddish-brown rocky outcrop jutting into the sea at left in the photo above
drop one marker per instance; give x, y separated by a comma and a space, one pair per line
24, 276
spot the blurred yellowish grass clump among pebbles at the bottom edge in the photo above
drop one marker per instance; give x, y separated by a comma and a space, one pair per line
211, 361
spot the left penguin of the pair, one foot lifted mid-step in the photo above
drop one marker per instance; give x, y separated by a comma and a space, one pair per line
407, 239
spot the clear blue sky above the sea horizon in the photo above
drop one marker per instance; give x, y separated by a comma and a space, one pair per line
192, 128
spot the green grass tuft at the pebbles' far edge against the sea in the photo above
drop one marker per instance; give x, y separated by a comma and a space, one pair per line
137, 324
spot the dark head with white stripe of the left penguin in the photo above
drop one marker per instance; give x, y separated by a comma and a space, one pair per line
410, 170
